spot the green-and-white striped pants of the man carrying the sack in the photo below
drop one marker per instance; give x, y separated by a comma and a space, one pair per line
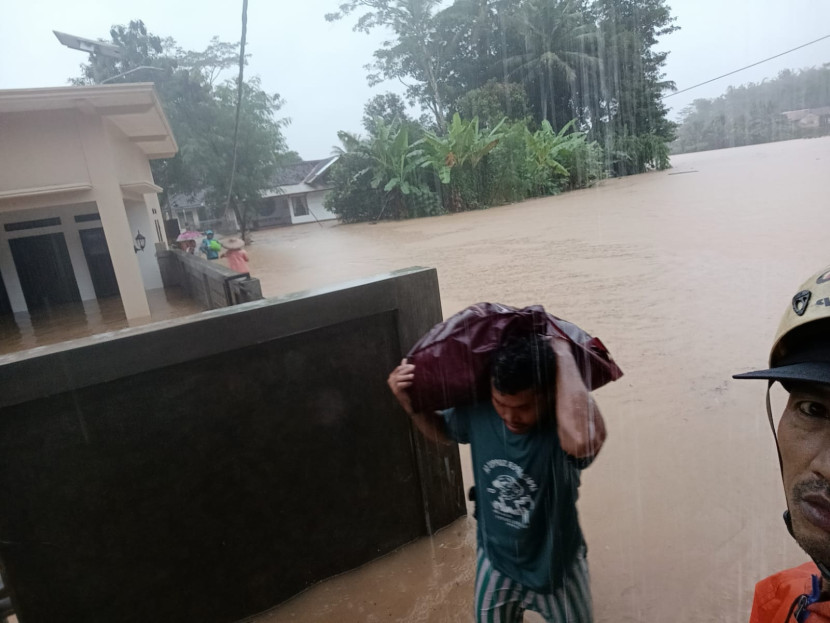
498, 599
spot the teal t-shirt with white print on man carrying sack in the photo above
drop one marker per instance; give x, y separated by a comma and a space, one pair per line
526, 492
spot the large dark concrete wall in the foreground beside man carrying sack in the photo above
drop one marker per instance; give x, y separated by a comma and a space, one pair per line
268, 455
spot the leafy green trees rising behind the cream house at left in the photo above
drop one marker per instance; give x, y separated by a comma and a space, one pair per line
201, 110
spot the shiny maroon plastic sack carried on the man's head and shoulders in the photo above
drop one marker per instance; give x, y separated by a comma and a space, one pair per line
452, 361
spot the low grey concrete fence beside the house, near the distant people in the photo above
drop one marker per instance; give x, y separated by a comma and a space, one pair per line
209, 283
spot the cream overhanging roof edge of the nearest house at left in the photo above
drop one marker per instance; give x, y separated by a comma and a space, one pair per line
134, 108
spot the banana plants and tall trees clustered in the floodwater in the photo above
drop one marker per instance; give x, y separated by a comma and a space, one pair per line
524, 98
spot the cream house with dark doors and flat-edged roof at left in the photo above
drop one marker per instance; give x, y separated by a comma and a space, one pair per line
79, 215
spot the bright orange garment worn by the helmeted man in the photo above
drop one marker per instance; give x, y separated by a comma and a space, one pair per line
774, 596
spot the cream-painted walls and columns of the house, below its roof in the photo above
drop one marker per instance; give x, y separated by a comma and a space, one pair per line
69, 148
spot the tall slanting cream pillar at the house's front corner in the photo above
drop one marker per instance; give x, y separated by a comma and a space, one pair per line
120, 239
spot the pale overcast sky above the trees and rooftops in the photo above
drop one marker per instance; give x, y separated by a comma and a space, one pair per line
318, 67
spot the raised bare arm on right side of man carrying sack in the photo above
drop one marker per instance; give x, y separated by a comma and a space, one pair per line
578, 419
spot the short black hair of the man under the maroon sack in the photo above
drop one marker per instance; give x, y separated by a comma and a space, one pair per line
523, 362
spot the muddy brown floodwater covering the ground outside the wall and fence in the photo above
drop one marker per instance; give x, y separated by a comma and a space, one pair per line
683, 274
